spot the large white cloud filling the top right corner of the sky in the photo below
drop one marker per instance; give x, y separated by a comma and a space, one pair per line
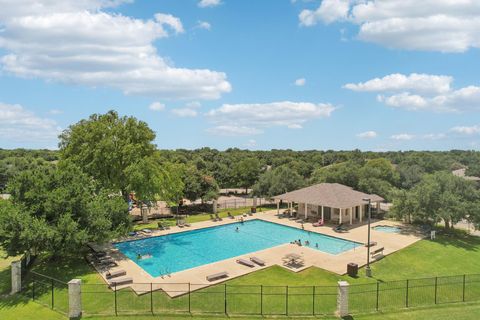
432, 25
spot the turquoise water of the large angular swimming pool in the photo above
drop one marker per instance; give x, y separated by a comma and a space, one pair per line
185, 250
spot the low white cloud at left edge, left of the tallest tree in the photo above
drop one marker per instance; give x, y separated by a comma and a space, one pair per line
22, 125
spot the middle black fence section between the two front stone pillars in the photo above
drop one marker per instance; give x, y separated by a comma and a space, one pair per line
188, 298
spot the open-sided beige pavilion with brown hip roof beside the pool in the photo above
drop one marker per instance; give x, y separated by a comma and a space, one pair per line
332, 202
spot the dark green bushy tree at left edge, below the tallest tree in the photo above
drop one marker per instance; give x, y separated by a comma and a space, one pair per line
57, 210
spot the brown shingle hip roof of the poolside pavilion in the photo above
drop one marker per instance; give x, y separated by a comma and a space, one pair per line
332, 195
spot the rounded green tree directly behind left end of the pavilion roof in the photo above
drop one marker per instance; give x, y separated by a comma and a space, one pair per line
277, 181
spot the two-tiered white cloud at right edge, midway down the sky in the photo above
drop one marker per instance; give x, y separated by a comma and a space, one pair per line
421, 92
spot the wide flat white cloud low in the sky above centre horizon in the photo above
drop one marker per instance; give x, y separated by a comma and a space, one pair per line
264, 115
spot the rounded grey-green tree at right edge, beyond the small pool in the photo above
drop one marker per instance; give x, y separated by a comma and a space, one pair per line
440, 197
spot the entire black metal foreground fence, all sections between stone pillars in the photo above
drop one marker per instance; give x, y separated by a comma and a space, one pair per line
188, 298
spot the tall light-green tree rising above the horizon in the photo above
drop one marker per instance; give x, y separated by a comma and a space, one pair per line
105, 145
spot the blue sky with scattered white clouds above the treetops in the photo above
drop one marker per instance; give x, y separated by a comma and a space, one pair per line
331, 74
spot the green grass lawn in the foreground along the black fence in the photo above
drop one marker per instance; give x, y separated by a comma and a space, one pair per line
444, 257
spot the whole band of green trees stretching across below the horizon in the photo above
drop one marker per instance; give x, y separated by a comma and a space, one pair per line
62, 199
